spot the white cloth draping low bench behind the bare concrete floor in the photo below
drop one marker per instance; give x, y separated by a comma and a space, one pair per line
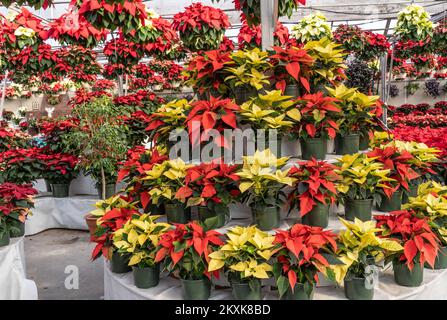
67, 213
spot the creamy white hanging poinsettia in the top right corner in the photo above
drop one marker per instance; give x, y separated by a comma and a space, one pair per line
413, 23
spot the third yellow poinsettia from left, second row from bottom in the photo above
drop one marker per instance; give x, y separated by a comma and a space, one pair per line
362, 177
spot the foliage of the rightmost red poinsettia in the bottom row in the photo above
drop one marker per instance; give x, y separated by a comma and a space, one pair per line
414, 234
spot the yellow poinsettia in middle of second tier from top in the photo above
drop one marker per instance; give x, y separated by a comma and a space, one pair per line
271, 110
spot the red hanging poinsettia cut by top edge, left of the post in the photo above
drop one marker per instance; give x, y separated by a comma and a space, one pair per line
126, 15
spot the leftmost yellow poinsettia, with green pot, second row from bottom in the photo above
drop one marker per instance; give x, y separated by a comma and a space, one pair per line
159, 186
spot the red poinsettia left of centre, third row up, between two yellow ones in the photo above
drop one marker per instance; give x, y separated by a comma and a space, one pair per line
215, 114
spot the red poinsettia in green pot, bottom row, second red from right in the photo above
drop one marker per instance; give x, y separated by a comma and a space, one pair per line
301, 255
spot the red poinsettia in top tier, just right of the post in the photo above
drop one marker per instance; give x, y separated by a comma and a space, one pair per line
291, 66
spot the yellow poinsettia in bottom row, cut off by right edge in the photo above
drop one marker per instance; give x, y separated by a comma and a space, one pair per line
431, 202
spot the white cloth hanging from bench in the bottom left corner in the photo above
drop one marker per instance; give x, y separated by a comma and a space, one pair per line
13, 282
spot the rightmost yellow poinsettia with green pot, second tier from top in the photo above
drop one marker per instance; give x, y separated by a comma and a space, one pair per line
356, 109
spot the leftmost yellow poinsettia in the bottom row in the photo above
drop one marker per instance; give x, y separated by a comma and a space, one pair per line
139, 238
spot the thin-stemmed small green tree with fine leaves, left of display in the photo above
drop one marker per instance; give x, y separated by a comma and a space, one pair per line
100, 140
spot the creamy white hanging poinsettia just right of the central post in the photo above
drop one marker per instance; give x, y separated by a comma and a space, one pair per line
312, 28
